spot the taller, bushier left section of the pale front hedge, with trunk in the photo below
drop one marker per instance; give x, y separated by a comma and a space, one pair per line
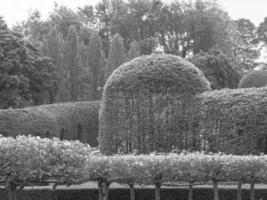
28, 160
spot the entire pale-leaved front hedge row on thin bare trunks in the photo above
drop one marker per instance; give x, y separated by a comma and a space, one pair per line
29, 160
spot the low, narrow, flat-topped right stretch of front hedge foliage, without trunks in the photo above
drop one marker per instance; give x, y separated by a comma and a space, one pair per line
182, 168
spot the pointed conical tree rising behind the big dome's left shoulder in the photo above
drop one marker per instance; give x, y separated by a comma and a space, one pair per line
116, 55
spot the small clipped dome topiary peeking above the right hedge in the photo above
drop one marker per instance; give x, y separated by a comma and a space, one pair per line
257, 78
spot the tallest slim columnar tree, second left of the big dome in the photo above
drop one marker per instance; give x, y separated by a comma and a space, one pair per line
71, 58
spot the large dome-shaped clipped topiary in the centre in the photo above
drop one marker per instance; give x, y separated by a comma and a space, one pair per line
144, 104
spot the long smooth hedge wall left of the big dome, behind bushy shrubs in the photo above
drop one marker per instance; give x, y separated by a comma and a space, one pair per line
71, 121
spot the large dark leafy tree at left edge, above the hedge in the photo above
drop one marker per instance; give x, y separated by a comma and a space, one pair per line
19, 61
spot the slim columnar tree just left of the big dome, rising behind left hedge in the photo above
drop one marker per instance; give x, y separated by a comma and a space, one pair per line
94, 62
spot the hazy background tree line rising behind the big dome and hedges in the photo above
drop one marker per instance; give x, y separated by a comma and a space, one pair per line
87, 44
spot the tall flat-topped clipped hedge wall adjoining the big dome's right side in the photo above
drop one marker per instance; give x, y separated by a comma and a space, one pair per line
231, 121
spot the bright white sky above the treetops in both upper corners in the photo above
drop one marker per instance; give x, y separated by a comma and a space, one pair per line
17, 10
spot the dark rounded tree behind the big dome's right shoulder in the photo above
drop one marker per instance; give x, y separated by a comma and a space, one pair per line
217, 68
